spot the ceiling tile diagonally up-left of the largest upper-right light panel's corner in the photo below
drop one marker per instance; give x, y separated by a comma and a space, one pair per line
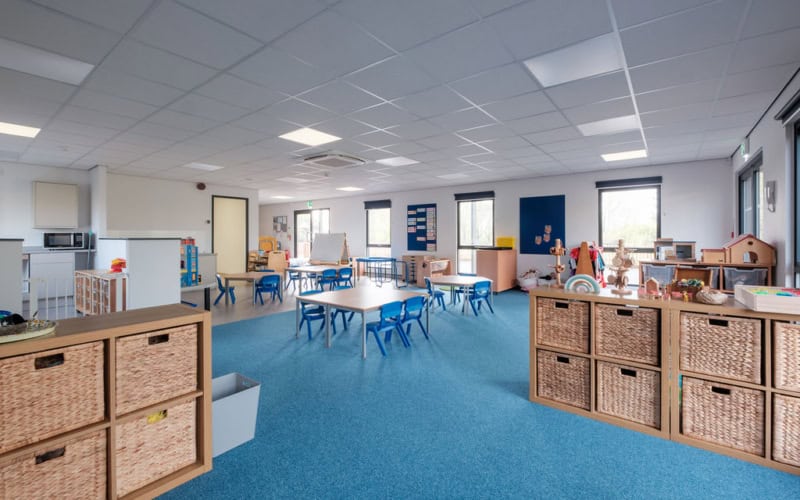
462, 53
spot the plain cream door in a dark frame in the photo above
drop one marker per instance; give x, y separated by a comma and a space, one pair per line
229, 227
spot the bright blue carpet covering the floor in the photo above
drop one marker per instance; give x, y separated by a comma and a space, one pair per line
446, 418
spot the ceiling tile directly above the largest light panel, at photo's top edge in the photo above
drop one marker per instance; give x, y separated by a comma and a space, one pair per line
536, 27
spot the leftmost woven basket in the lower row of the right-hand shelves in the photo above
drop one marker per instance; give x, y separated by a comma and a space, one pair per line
563, 378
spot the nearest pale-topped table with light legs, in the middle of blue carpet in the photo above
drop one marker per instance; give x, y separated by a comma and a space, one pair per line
363, 300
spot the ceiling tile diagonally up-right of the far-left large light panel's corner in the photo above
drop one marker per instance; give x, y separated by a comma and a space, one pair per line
156, 65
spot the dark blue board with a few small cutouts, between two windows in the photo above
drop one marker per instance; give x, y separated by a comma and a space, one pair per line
541, 221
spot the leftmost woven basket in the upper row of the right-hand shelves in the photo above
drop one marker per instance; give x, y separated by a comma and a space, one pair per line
564, 324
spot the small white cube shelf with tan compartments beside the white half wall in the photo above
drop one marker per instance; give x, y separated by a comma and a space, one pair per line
100, 292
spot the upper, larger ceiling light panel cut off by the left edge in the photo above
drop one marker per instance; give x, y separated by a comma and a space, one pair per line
33, 61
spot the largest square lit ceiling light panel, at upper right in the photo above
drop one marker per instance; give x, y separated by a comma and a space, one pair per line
588, 58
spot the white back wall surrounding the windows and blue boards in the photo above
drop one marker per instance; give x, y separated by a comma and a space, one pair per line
695, 202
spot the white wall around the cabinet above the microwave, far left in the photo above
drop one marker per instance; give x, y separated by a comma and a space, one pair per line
16, 198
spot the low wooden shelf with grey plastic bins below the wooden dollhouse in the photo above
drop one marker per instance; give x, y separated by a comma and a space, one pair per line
725, 275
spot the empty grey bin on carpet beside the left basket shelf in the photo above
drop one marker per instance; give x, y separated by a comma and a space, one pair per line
234, 408
